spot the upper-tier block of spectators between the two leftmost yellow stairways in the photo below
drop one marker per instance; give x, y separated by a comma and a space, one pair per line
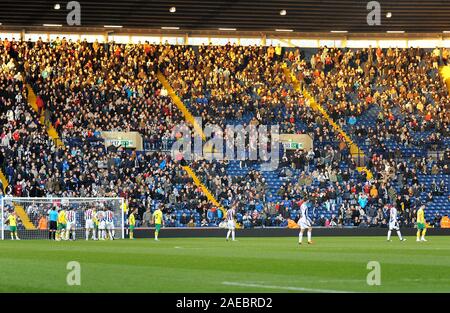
87, 88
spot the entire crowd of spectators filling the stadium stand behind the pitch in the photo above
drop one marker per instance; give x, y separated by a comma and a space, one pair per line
85, 88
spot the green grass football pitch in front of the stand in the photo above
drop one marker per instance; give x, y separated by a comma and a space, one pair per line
331, 264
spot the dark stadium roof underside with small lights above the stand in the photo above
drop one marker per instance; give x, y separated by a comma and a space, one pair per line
417, 16
